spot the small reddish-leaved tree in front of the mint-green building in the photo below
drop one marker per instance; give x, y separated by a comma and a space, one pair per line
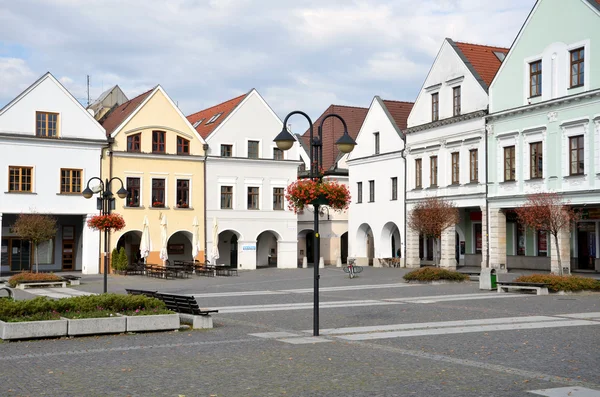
547, 212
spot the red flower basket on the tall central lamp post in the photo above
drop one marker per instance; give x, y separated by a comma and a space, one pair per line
305, 192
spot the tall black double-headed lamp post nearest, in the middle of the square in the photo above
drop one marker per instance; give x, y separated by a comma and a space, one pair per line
345, 144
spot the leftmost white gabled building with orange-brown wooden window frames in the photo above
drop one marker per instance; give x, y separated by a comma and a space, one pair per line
49, 145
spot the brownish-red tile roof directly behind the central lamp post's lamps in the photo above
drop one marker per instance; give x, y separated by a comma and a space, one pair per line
333, 130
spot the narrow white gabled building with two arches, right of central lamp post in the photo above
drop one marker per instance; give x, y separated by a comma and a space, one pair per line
376, 215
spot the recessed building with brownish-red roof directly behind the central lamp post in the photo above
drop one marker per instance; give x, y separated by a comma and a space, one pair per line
333, 225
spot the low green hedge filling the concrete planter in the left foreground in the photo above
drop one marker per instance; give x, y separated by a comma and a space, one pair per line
90, 306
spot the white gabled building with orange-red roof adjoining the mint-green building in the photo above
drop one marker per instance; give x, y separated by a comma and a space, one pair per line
445, 149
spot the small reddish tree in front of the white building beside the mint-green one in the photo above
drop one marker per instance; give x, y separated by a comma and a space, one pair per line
430, 217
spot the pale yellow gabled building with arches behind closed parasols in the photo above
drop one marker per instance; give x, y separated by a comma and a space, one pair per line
161, 160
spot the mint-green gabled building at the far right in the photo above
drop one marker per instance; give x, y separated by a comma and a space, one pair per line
543, 135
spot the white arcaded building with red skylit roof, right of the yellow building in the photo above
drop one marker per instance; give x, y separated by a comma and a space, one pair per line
246, 178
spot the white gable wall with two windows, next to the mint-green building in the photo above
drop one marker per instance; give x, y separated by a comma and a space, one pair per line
448, 71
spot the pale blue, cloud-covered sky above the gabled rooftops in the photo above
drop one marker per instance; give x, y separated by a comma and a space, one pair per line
300, 55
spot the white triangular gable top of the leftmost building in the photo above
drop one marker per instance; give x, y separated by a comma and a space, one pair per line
48, 95
